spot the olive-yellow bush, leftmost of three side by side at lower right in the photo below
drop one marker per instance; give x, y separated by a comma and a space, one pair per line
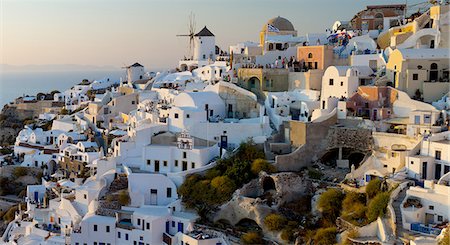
330, 202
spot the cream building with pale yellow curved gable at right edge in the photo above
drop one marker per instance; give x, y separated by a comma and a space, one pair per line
423, 70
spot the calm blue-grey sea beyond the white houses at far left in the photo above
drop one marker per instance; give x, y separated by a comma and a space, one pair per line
14, 84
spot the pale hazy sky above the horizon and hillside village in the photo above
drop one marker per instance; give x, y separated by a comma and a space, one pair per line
117, 33
